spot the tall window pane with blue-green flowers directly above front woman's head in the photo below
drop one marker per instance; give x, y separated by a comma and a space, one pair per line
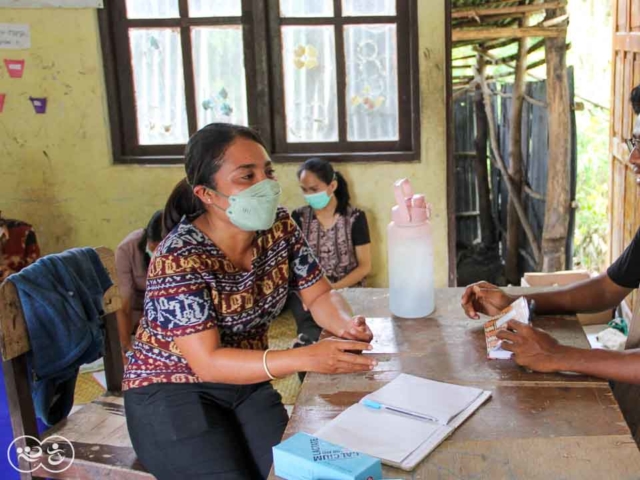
218, 61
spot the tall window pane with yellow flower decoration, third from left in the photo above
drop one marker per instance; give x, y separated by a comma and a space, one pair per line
310, 88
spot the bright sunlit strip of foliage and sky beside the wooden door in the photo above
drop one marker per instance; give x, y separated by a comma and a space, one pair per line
590, 33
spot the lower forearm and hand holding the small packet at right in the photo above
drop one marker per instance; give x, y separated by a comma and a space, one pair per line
539, 351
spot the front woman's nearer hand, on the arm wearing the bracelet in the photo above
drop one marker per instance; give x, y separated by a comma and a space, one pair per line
329, 356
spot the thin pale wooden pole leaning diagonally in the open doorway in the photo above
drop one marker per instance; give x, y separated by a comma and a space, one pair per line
497, 161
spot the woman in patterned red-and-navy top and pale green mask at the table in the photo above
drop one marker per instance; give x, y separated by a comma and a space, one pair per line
198, 399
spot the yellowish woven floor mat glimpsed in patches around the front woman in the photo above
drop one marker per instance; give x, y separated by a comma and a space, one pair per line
281, 336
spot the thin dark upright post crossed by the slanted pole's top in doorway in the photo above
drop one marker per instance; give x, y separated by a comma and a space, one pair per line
482, 173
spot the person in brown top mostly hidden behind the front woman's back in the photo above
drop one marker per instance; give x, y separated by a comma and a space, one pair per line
132, 262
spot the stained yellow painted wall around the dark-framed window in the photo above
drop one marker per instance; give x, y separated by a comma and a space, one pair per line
57, 172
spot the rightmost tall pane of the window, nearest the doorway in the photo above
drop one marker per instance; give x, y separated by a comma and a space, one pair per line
372, 82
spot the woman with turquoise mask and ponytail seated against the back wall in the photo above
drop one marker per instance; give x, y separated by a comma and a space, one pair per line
337, 233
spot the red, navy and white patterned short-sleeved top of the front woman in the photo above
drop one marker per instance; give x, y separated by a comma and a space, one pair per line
192, 286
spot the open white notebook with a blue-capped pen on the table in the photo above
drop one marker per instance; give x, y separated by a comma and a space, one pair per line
405, 420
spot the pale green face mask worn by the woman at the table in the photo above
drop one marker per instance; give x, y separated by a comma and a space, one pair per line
254, 208
